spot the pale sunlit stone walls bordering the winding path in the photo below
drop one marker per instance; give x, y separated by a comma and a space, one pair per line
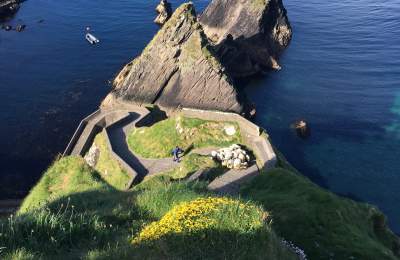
103, 119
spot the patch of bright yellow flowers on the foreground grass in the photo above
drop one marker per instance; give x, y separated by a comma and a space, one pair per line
196, 215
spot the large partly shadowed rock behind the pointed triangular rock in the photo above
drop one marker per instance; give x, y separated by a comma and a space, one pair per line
248, 35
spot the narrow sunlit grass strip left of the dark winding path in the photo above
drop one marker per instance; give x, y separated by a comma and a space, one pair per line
110, 170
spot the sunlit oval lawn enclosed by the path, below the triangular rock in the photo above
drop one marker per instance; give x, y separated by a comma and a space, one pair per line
158, 140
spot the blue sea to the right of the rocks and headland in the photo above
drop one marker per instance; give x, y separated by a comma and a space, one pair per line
342, 74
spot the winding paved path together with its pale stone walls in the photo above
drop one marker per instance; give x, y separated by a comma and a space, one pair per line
118, 121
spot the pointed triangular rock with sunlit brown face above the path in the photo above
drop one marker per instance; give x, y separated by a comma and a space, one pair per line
178, 68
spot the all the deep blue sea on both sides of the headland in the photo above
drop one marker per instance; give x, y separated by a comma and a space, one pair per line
341, 73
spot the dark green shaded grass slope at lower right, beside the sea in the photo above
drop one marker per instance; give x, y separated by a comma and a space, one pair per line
321, 223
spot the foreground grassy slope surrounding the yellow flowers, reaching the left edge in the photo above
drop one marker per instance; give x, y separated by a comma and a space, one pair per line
85, 217
